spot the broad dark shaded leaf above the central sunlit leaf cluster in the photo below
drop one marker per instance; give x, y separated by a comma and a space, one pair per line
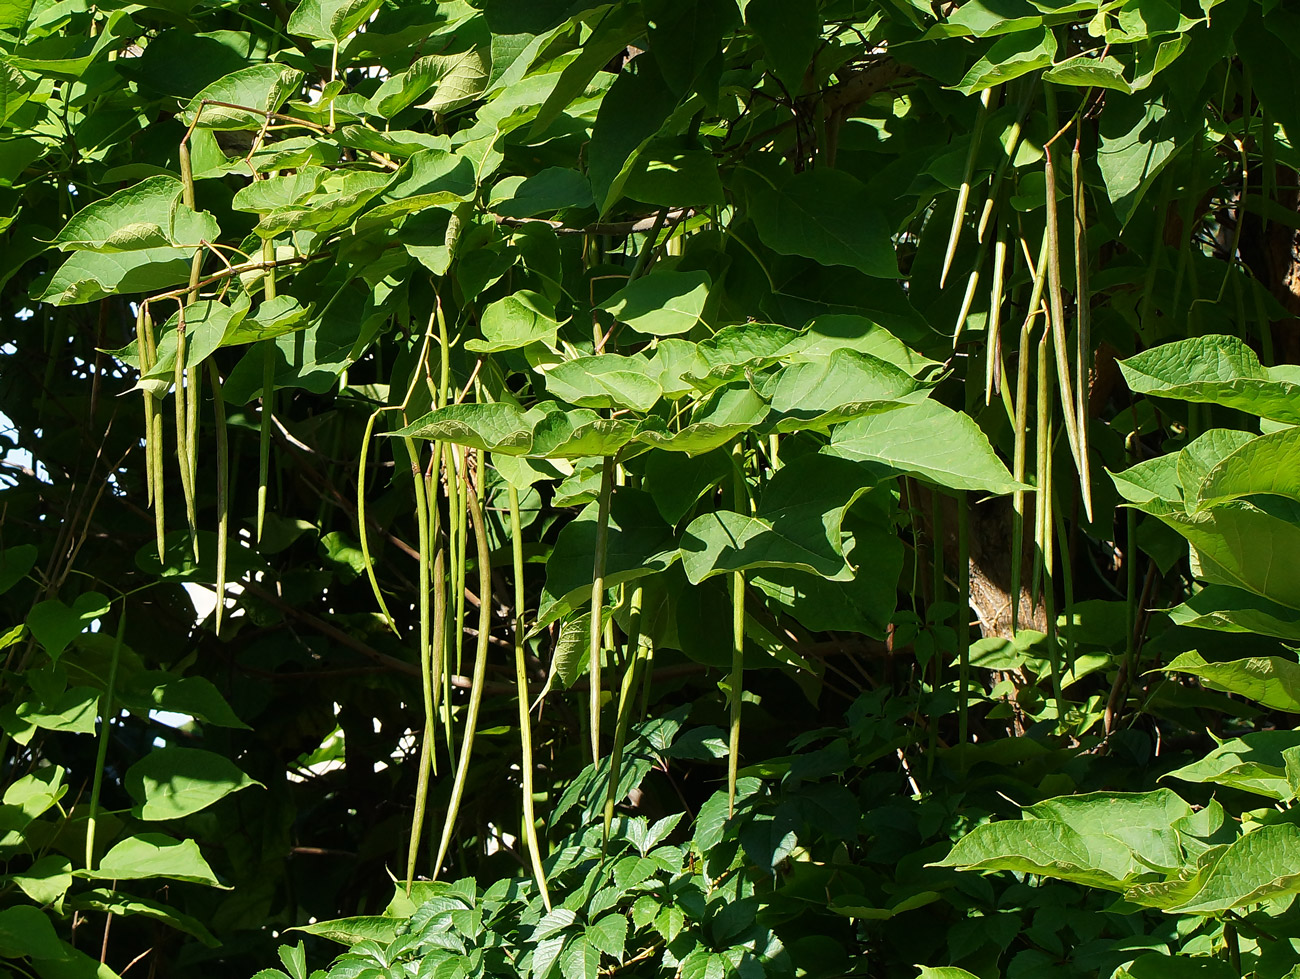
829, 216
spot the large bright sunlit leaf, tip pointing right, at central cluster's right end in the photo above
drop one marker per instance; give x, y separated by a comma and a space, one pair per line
930, 441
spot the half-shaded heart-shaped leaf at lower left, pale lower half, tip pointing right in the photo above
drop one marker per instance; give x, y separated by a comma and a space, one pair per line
172, 783
